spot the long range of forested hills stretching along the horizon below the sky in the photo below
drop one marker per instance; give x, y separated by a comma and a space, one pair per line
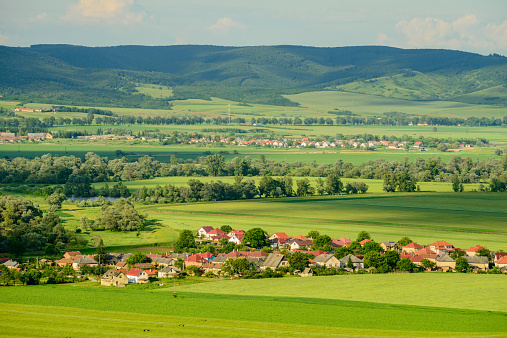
68, 74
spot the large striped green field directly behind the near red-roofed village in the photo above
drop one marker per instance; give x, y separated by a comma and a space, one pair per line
464, 220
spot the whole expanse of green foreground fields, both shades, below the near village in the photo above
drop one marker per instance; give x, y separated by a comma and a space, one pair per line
217, 311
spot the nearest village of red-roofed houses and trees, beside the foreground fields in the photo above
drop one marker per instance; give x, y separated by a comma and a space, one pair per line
285, 255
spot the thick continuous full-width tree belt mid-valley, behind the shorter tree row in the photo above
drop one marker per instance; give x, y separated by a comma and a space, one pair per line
60, 170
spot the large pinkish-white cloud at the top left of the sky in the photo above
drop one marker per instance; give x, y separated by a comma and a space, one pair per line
106, 11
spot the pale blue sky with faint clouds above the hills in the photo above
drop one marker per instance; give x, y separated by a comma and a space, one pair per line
473, 26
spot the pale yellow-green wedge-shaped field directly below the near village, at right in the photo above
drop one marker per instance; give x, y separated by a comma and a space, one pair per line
449, 290
